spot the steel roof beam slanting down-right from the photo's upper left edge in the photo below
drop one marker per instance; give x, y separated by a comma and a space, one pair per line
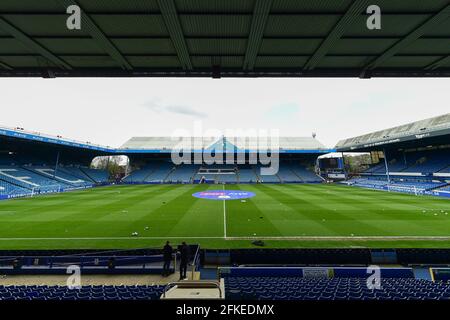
32, 45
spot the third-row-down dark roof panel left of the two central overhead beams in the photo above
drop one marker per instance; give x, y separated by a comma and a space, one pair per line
145, 46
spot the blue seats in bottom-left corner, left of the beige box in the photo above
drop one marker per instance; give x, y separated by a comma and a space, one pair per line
83, 293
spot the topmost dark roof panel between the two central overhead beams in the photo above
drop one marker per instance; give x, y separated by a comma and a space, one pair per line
237, 6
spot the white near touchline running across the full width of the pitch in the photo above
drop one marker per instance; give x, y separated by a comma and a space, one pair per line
314, 238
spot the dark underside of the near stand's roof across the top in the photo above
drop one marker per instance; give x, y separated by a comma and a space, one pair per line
221, 38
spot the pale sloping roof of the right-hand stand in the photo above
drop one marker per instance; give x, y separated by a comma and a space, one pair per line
437, 128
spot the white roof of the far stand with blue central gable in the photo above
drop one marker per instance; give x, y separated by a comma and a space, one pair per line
285, 144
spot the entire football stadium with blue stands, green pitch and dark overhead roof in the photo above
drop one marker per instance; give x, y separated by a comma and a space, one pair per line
225, 217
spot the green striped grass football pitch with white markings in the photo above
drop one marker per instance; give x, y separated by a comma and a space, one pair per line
282, 215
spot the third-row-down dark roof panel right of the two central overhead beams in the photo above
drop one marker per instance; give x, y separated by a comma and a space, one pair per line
289, 46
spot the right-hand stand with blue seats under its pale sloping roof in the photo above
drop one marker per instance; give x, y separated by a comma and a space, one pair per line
413, 158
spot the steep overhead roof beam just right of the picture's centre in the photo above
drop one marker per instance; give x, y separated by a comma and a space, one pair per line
259, 19
